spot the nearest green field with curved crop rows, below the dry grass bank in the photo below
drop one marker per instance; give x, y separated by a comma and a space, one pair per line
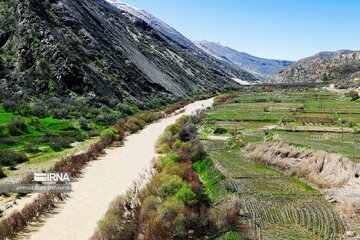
275, 206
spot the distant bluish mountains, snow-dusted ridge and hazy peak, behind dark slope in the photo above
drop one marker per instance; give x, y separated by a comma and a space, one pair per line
213, 53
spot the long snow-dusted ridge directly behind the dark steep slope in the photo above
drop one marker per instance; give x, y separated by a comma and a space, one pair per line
175, 38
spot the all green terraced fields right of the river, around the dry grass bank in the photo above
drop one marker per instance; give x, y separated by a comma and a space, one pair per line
275, 206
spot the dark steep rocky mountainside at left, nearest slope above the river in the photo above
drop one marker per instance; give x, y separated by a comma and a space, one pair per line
92, 49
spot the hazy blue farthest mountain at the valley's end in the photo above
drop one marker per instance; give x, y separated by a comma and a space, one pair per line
260, 67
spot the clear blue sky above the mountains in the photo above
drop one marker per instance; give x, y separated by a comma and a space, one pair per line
277, 29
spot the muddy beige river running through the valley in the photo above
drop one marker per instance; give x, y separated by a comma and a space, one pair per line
103, 180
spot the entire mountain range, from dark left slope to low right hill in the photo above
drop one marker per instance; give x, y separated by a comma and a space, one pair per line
103, 50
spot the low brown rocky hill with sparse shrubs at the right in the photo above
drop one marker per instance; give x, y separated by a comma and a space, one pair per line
337, 66
